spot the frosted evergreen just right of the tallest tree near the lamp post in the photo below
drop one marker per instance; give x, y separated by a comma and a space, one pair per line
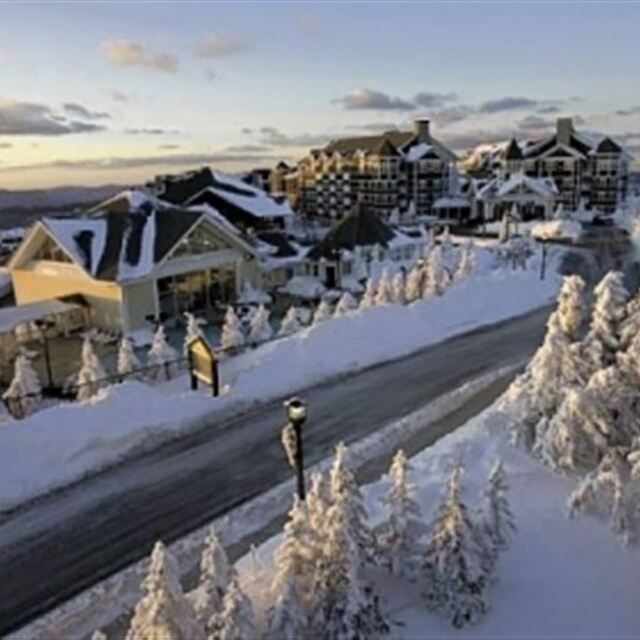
400, 535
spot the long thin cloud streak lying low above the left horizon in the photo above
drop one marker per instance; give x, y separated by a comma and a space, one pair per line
166, 160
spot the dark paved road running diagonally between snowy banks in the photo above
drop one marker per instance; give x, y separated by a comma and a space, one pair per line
57, 546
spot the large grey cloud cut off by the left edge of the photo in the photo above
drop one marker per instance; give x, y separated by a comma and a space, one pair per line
30, 118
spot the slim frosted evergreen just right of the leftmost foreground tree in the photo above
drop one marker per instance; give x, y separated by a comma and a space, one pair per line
215, 576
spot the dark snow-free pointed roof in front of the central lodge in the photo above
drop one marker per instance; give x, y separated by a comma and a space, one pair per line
361, 228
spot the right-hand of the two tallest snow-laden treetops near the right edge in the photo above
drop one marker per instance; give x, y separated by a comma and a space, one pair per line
604, 339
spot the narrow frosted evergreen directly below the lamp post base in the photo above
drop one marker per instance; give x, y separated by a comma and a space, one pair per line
291, 582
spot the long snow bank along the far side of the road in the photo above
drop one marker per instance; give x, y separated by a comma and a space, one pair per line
58, 445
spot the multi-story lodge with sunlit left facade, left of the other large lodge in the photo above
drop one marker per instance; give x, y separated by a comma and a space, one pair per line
403, 171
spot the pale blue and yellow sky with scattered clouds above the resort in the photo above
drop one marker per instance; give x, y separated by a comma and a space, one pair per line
98, 93
